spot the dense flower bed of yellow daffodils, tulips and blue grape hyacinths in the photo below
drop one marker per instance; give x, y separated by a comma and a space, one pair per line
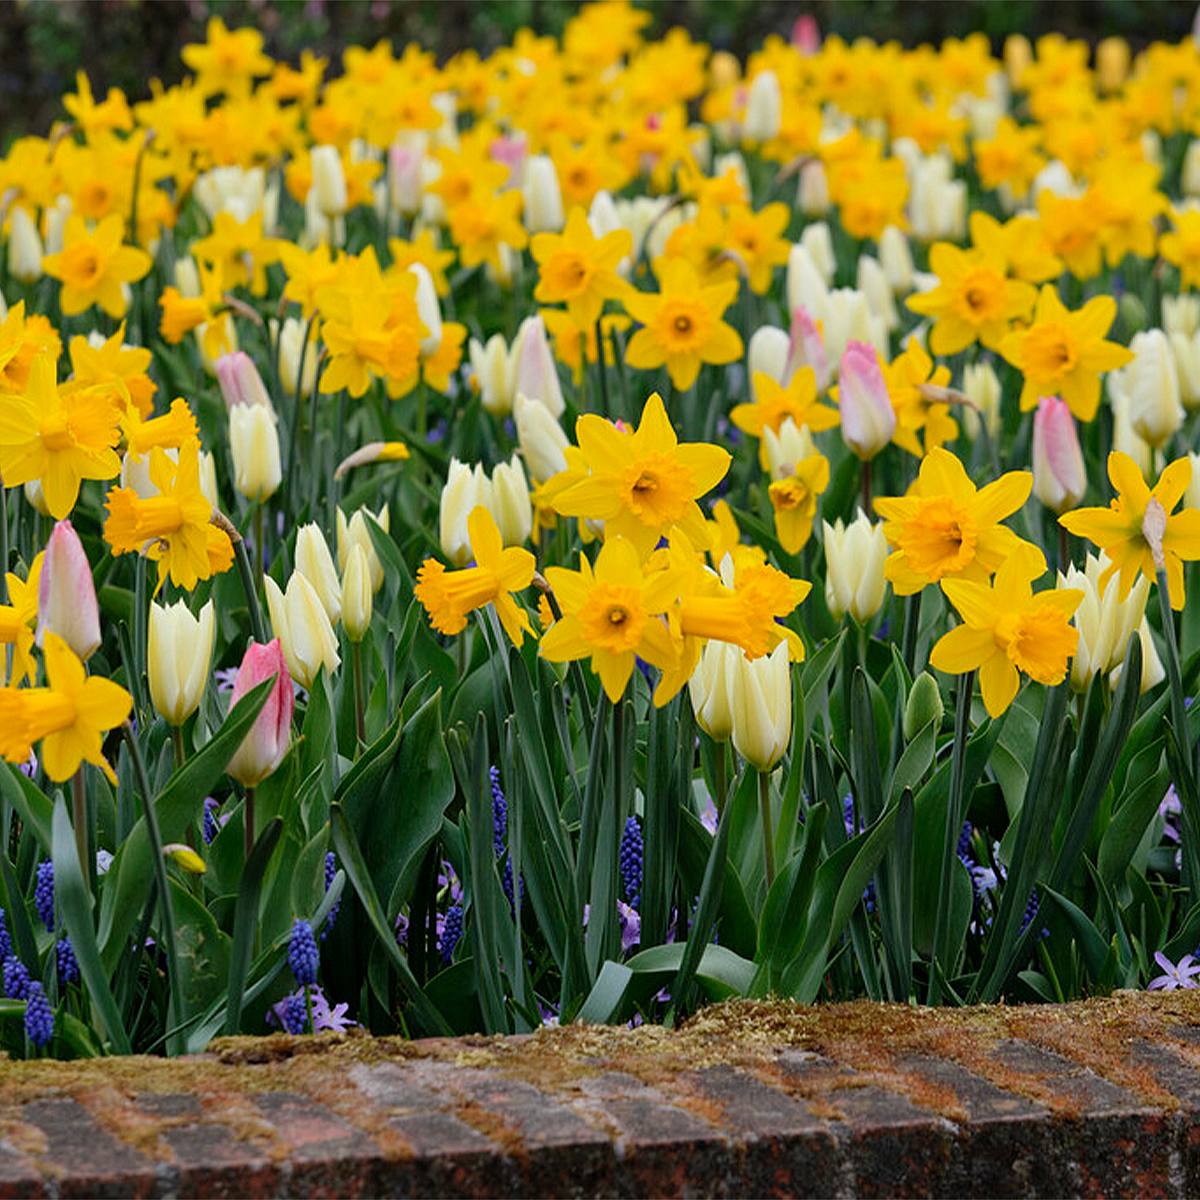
571, 537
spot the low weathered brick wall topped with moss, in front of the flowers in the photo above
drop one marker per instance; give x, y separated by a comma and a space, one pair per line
1094, 1100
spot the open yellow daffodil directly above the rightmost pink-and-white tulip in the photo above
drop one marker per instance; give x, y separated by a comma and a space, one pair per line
1064, 353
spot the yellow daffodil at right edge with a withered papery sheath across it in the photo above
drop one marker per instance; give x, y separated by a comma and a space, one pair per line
1119, 530
